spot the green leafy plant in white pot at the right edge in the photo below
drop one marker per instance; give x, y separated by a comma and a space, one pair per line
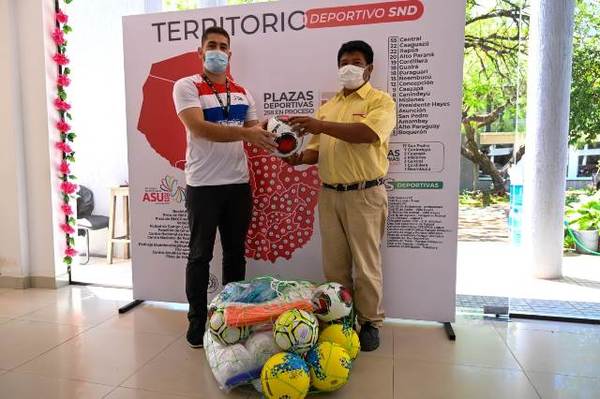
583, 218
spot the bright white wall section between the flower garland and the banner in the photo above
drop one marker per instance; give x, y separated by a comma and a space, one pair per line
97, 94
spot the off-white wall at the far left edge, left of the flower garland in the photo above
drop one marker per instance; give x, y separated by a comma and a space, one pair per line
31, 244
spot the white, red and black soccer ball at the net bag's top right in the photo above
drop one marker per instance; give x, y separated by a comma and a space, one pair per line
332, 301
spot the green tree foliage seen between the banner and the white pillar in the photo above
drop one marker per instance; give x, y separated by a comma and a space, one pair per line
495, 67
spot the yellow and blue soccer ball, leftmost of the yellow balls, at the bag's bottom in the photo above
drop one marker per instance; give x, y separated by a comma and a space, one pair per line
285, 375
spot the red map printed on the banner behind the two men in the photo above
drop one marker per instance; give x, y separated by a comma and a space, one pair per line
284, 198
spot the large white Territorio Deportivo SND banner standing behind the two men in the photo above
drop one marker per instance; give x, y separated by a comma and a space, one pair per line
285, 54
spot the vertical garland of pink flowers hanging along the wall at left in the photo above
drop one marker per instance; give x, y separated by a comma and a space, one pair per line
68, 189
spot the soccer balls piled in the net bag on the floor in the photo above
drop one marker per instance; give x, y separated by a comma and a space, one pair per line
302, 351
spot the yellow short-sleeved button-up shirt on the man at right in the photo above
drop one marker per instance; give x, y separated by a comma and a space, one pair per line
341, 162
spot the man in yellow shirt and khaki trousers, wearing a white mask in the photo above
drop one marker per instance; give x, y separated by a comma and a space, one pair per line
352, 132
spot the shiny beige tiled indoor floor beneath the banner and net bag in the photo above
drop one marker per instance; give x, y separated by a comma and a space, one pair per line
71, 343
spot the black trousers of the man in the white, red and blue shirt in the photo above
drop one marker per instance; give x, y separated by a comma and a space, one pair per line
227, 208
